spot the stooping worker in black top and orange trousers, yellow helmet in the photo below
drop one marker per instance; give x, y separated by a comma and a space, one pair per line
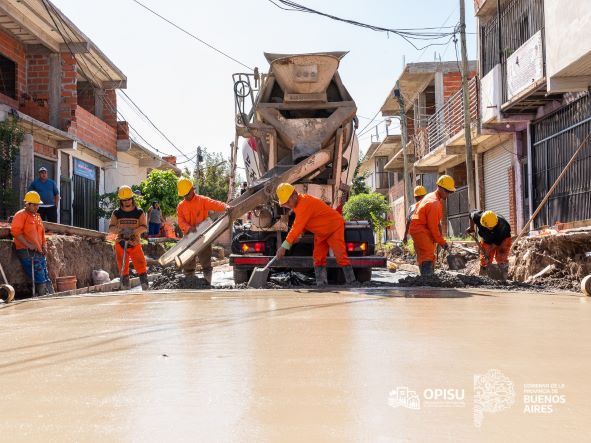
495, 239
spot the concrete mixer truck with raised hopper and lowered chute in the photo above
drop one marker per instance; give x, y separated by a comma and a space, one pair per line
298, 125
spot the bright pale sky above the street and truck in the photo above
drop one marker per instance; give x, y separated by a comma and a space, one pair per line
186, 88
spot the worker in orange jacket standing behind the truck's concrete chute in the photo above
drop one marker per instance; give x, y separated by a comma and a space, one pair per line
191, 211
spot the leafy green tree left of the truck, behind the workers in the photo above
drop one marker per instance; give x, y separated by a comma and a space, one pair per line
161, 186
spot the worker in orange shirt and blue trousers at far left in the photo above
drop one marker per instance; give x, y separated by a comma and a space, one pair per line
29, 240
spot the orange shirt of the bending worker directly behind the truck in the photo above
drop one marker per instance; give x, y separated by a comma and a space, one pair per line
315, 216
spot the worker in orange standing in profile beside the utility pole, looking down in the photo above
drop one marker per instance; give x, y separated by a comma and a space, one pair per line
424, 224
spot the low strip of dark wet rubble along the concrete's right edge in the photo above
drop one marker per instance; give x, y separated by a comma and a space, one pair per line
448, 280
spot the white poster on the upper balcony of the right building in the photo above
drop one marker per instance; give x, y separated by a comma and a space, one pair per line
525, 66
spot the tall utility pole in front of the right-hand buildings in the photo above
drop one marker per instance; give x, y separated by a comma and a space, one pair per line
466, 102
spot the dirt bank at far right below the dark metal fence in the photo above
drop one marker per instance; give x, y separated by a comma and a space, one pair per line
559, 261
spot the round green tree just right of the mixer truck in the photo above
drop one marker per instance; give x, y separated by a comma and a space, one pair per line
371, 207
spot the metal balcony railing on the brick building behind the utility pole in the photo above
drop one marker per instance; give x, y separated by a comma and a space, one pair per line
449, 119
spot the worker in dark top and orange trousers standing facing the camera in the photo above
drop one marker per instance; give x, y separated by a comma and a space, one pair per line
129, 223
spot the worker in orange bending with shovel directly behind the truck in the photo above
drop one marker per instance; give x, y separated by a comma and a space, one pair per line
327, 225
